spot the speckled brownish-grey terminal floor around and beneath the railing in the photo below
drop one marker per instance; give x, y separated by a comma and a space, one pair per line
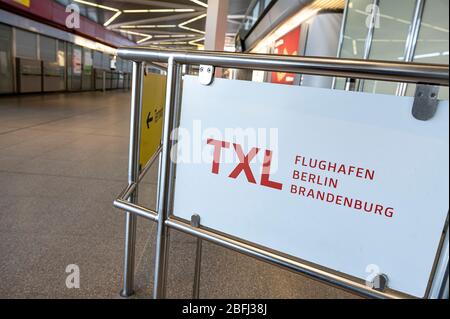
63, 159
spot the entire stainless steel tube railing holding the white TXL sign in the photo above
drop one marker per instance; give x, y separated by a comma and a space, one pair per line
427, 74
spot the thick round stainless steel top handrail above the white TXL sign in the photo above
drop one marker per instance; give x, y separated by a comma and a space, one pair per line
433, 74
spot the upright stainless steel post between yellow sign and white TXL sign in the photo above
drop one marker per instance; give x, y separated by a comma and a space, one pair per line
166, 179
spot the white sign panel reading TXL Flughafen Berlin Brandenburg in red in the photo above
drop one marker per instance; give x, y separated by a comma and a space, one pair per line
349, 181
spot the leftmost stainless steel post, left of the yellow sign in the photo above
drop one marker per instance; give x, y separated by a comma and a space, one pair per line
133, 177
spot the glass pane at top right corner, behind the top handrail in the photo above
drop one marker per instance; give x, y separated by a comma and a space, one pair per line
432, 44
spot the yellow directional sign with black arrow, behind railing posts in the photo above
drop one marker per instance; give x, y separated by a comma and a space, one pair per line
153, 100
